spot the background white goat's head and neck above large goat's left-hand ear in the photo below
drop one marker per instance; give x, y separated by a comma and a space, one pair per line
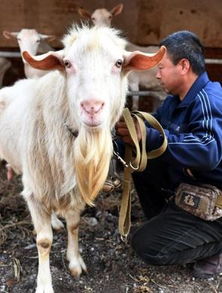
32, 41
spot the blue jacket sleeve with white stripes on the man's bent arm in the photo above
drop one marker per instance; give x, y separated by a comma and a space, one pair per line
199, 146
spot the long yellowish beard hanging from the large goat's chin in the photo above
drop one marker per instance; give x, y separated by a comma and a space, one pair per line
92, 155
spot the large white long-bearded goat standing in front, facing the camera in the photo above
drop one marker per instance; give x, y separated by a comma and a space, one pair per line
56, 131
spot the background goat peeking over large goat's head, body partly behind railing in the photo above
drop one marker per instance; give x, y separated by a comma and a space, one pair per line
147, 79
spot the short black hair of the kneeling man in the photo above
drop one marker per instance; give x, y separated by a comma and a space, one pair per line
185, 44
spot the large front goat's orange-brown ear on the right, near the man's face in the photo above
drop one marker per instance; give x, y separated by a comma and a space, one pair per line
141, 61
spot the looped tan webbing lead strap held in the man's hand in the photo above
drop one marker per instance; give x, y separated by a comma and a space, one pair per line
136, 161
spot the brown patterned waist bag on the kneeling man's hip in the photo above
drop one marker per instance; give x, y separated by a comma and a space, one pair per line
203, 201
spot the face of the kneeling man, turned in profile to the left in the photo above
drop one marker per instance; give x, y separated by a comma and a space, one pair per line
169, 75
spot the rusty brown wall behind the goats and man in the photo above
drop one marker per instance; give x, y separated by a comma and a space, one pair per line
143, 22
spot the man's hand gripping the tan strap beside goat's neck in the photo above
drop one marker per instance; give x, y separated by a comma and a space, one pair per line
123, 132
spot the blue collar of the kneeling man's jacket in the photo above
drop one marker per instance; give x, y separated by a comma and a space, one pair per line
197, 86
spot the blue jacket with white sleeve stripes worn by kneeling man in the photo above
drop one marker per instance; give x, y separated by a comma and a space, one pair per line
193, 128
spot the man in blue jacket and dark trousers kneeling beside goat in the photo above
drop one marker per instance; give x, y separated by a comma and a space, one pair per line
192, 120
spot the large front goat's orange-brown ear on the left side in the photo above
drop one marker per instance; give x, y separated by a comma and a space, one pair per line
49, 61
